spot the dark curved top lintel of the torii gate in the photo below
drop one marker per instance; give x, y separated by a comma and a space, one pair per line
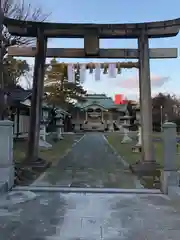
158, 29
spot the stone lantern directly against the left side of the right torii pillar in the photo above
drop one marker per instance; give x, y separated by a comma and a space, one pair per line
138, 146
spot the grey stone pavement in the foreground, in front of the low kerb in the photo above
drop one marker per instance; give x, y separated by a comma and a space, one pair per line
56, 216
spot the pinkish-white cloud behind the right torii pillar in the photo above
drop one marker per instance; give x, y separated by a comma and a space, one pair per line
133, 82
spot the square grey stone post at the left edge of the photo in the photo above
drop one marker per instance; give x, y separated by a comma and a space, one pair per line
6, 158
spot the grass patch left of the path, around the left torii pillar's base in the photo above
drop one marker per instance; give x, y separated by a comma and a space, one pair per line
26, 174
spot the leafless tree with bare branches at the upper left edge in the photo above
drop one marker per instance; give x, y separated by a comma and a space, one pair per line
21, 10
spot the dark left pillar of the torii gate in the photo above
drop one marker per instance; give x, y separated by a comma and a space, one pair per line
37, 95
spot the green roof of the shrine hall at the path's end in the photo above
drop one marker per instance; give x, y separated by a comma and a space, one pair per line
101, 100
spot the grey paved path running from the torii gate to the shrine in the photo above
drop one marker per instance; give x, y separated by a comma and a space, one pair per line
91, 163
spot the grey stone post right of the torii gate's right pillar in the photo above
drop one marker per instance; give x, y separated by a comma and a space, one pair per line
169, 177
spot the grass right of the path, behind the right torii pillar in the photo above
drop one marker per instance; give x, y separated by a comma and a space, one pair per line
125, 150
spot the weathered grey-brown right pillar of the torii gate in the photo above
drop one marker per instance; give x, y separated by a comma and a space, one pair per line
145, 97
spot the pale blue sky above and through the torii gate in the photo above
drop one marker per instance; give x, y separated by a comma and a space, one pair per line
164, 73
